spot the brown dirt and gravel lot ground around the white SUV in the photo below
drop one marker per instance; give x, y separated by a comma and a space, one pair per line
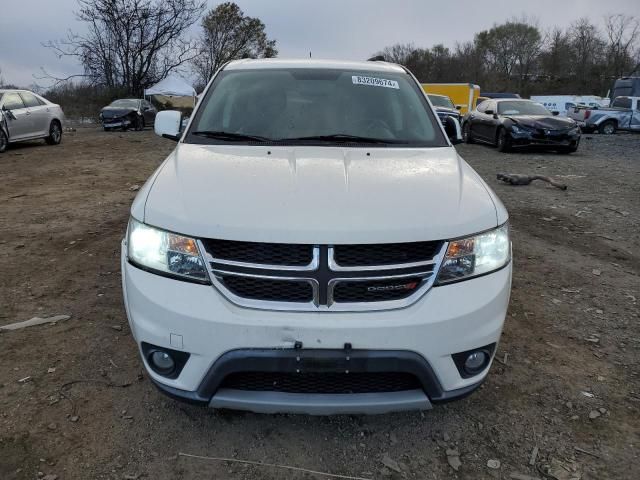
87, 411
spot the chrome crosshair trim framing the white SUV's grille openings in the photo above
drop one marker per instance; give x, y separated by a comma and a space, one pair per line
331, 306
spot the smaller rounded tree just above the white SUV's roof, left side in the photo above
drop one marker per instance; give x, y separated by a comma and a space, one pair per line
229, 34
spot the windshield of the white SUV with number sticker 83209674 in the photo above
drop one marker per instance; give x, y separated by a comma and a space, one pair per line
317, 106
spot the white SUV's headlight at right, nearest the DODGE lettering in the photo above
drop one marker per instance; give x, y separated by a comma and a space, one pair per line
476, 255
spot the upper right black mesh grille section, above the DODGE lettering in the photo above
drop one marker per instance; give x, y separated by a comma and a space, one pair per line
385, 253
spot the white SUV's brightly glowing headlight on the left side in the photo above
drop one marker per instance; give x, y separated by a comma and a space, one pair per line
165, 252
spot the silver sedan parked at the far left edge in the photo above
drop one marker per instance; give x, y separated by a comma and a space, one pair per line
25, 115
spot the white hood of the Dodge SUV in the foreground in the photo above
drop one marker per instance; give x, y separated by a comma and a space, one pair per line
317, 194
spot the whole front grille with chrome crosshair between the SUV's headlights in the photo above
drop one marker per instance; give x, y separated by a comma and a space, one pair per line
311, 277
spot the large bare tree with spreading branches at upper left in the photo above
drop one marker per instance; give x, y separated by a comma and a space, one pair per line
130, 44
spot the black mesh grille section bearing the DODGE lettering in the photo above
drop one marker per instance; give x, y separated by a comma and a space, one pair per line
375, 291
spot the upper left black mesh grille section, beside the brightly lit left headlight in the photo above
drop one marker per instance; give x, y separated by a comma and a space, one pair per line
258, 252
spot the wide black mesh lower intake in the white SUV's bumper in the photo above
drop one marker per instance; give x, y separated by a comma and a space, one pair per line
329, 383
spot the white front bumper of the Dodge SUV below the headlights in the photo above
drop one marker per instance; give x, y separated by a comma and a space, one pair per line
197, 319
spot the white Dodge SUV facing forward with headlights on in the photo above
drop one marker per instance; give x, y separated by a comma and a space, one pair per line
315, 244
